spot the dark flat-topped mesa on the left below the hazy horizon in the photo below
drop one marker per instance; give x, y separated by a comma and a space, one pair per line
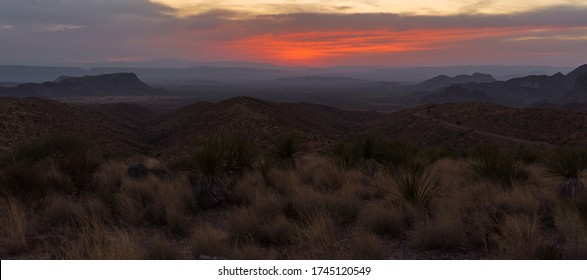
119, 84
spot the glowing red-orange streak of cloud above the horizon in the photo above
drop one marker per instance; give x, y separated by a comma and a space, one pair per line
310, 48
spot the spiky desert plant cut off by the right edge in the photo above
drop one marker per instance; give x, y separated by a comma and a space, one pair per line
567, 167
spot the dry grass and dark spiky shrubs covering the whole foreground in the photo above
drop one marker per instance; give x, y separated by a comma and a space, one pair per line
231, 198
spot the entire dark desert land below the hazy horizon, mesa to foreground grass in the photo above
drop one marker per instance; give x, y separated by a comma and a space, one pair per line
463, 167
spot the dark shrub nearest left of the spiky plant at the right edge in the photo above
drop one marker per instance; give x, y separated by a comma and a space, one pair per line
498, 167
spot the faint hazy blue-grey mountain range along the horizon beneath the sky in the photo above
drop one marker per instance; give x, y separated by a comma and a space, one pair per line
173, 72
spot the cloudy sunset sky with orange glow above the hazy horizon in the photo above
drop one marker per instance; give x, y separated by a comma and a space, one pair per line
317, 33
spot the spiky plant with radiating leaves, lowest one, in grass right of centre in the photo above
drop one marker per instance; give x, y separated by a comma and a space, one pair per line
413, 183
